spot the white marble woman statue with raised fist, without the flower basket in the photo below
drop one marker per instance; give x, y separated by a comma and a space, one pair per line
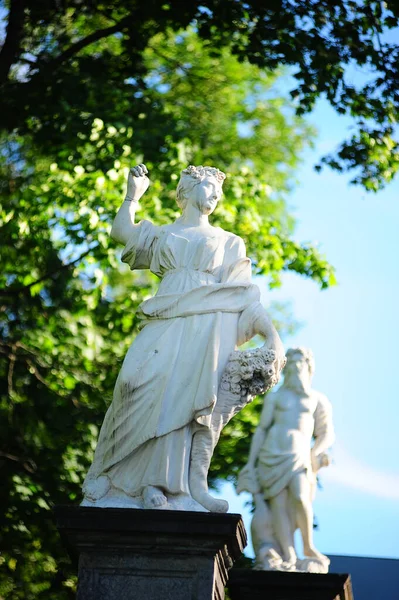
154, 441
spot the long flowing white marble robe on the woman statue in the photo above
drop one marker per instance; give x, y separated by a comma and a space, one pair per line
169, 380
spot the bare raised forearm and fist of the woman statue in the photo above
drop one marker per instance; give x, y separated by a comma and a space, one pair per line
137, 184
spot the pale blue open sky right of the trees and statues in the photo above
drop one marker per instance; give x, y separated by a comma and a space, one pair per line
353, 330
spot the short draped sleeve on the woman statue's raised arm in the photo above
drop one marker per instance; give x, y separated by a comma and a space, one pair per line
140, 245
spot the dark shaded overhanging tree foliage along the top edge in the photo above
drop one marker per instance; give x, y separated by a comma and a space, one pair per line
62, 64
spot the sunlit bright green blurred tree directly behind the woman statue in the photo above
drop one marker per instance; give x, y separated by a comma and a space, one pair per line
68, 309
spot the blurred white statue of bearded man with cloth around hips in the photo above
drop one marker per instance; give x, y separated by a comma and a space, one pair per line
287, 450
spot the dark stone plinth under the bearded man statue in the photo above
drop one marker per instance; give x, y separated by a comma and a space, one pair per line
247, 584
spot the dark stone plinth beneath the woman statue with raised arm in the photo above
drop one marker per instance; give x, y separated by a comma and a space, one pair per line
129, 554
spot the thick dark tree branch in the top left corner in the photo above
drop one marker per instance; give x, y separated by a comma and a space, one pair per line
12, 45
